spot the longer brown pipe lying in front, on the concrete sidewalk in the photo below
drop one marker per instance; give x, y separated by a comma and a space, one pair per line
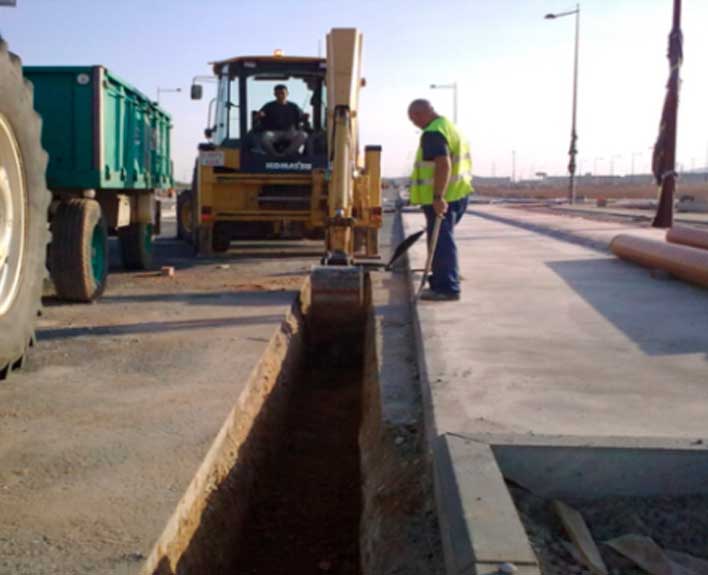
688, 263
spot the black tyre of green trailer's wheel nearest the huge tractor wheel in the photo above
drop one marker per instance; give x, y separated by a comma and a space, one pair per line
71, 266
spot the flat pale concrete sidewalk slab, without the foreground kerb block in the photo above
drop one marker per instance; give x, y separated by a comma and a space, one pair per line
551, 337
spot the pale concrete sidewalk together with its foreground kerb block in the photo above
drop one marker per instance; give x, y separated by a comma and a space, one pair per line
553, 339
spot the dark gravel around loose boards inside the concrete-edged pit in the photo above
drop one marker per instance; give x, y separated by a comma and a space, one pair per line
674, 523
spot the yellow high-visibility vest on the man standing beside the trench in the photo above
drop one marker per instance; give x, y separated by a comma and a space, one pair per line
460, 185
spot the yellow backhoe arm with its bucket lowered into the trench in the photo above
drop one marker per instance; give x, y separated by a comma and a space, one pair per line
354, 191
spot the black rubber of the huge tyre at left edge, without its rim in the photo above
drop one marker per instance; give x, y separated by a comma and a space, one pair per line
17, 323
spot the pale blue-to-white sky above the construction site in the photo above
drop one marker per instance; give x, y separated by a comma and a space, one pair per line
513, 68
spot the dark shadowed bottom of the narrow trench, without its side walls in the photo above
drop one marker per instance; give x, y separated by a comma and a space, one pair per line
305, 507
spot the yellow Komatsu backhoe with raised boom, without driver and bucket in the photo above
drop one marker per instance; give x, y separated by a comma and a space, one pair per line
251, 183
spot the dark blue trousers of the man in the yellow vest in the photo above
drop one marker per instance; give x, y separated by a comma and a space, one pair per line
445, 277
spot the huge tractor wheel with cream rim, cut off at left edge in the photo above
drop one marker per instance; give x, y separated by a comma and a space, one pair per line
24, 201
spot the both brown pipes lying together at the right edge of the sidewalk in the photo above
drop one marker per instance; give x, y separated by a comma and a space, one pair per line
684, 254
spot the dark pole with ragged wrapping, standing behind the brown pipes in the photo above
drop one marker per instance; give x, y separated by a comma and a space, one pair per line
664, 161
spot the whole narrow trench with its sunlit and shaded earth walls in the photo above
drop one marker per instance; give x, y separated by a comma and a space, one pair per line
307, 475
